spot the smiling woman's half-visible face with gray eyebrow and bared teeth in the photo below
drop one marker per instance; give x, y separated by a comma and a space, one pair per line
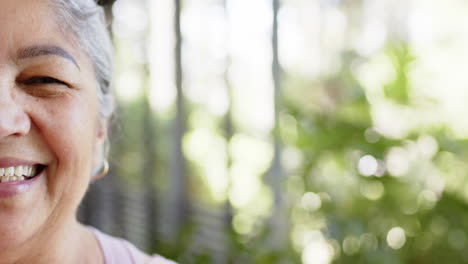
48, 121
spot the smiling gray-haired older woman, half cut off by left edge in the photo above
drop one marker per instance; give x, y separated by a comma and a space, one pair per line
55, 102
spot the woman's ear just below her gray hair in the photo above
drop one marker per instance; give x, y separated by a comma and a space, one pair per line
99, 149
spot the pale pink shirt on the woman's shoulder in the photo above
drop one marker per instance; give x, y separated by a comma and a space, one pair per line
120, 251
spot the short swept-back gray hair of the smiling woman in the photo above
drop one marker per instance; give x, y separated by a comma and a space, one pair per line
86, 21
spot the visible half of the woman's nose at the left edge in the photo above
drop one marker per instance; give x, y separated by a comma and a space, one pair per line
14, 121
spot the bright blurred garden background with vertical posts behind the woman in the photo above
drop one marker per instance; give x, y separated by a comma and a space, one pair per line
292, 131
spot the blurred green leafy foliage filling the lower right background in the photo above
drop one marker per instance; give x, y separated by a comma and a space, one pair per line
356, 212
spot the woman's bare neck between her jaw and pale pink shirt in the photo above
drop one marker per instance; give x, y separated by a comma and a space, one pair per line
69, 243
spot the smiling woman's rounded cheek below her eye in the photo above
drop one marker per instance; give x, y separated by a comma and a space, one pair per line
68, 127
